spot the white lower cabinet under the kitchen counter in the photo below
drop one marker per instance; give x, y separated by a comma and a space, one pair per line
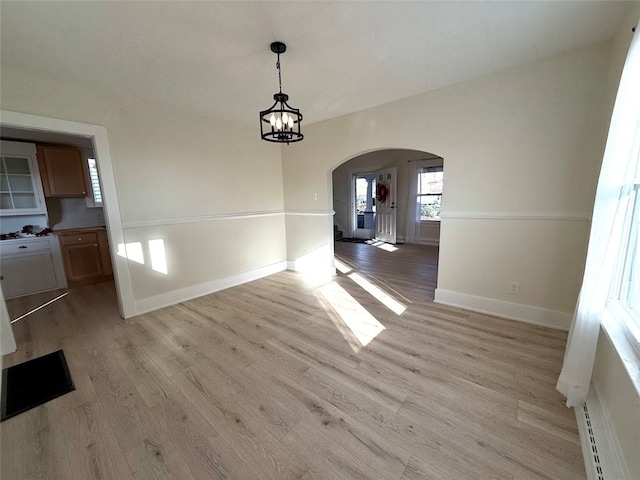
30, 265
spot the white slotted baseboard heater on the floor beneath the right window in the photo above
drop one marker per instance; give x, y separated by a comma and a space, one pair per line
603, 457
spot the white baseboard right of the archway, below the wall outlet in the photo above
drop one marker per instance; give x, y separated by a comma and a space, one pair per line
500, 308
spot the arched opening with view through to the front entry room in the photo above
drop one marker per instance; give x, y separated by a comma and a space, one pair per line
415, 198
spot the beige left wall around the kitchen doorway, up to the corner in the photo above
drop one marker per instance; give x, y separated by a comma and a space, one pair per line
169, 165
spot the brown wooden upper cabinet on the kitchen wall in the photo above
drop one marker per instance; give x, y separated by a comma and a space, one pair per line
62, 171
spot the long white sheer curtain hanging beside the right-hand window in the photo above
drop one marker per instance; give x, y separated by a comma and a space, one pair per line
607, 231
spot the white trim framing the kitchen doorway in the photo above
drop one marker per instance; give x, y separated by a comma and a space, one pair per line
111, 206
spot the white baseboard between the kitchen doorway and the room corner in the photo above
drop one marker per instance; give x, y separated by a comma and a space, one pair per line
171, 298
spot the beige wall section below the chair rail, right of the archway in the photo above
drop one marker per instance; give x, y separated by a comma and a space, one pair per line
548, 271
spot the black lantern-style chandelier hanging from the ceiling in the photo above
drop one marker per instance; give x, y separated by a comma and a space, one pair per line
281, 122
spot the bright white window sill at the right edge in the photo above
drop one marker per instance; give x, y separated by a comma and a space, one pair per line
621, 339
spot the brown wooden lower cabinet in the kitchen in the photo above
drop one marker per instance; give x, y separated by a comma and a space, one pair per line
86, 256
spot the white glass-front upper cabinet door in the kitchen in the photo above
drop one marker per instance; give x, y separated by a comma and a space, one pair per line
20, 188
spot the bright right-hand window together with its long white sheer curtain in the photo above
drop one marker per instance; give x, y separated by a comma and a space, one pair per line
610, 292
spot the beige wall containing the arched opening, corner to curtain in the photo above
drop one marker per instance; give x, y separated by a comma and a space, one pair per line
525, 142
